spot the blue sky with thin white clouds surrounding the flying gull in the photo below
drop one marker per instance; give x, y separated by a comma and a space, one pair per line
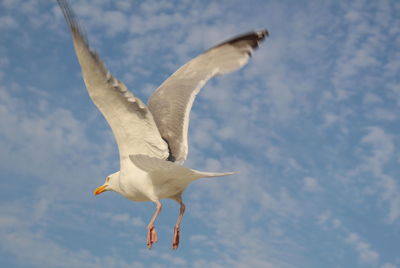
311, 123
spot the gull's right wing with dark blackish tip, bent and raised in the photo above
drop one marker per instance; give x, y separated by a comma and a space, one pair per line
171, 103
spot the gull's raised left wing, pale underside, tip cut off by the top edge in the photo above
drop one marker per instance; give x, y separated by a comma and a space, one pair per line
131, 122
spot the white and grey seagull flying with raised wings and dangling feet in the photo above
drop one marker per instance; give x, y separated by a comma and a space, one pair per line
152, 139
